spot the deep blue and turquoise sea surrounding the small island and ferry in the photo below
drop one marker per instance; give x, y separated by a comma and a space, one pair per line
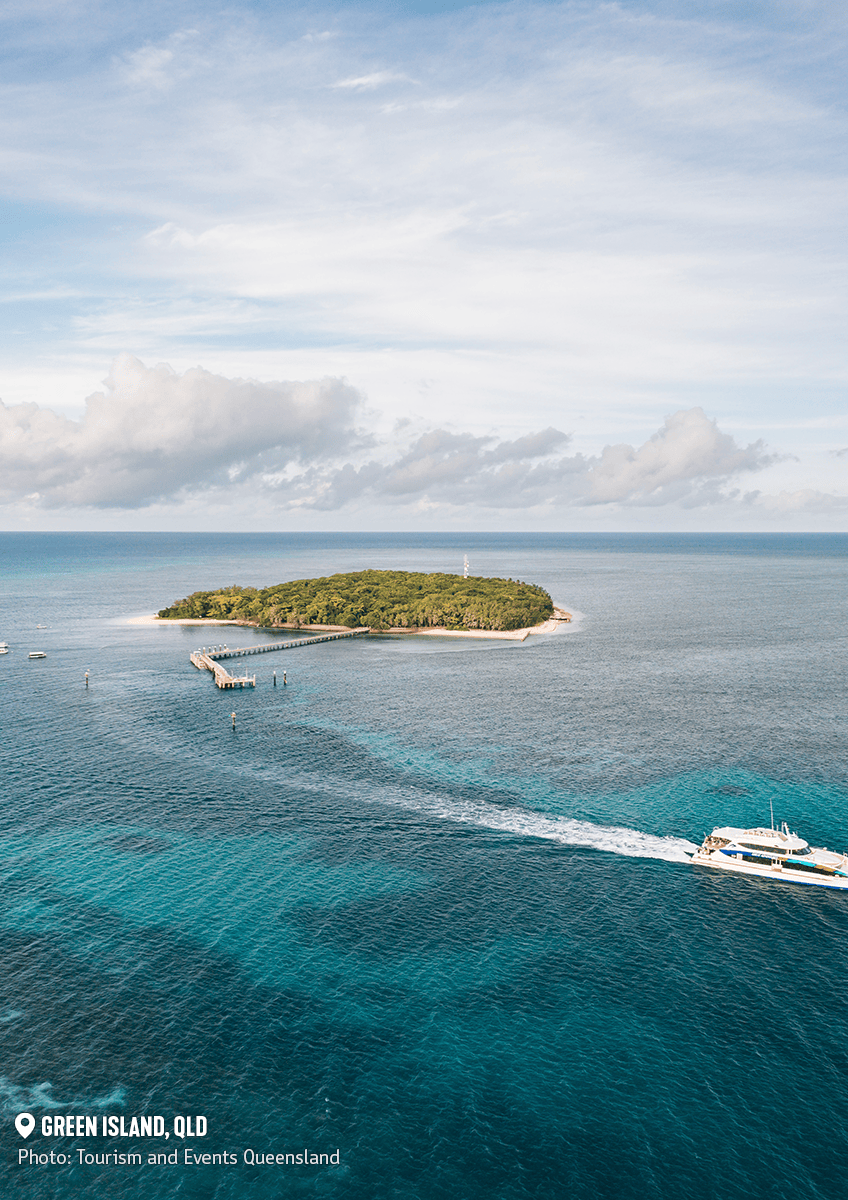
429, 903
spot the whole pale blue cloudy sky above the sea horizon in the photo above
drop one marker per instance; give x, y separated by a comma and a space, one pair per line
424, 266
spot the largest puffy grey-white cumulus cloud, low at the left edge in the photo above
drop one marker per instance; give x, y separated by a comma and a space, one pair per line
153, 434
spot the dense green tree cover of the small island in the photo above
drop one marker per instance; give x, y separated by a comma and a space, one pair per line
380, 599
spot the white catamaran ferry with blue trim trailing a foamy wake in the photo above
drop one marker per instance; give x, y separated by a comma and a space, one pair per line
773, 855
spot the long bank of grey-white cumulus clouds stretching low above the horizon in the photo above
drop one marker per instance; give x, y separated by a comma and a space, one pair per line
154, 435
